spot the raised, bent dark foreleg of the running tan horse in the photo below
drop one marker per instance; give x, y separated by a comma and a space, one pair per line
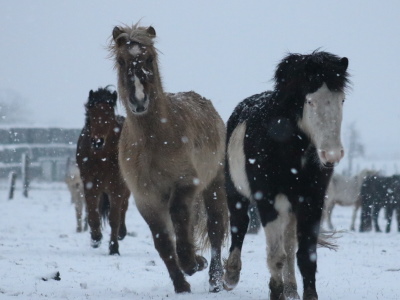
181, 206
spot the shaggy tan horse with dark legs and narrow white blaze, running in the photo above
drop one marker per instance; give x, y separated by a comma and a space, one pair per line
171, 153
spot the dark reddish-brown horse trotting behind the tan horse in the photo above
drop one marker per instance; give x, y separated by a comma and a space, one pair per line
97, 159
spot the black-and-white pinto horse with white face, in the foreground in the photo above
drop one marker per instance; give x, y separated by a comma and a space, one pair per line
281, 149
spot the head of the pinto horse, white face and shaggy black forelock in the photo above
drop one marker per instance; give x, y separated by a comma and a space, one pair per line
318, 81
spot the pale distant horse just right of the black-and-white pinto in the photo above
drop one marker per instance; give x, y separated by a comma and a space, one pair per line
344, 191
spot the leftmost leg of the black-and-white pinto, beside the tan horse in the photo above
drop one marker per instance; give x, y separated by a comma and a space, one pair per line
239, 222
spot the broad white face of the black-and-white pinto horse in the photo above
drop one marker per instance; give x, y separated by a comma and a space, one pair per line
321, 121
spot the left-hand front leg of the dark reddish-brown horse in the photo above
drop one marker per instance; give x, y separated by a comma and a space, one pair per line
92, 202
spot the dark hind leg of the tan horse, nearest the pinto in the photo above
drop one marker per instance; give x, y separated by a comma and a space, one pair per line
217, 223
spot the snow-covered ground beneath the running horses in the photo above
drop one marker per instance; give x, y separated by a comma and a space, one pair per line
38, 239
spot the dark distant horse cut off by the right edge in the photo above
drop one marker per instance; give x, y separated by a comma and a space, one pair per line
379, 192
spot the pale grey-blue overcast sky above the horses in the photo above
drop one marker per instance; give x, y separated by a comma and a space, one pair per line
53, 52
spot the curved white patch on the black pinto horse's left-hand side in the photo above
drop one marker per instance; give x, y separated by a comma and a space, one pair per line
237, 160
